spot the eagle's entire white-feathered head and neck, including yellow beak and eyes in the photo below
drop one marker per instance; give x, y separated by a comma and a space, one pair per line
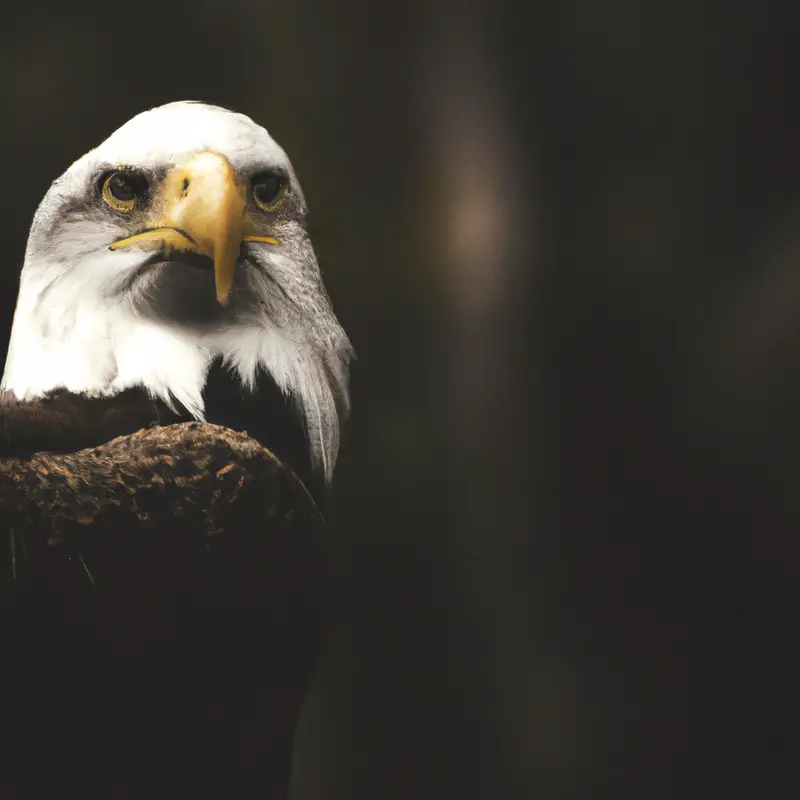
179, 240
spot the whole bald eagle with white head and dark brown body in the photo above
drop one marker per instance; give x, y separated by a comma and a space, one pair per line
171, 405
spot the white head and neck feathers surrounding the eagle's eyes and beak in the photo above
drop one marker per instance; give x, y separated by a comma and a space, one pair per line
74, 327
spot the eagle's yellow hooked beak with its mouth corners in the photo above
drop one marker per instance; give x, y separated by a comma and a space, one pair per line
199, 208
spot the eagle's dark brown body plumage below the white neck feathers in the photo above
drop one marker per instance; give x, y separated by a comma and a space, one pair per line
163, 600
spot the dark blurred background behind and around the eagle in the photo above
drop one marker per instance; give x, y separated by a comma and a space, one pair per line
565, 240
